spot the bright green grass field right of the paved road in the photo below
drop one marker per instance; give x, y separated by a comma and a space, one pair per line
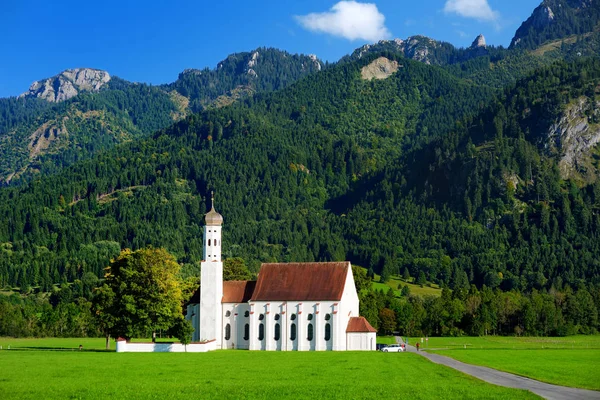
568, 361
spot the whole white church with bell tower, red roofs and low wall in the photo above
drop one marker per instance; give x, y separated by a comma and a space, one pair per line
290, 307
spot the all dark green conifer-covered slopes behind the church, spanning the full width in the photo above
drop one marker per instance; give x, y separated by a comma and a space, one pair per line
488, 201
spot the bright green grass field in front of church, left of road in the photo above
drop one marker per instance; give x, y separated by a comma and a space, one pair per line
31, 374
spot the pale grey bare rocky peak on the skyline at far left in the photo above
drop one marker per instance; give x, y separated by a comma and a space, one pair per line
68, 84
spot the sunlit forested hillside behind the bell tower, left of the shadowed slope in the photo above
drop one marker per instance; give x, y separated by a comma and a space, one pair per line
273, 160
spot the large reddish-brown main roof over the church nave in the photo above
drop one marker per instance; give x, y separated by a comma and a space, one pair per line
301, 281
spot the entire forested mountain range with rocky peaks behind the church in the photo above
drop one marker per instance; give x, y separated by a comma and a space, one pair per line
473, 166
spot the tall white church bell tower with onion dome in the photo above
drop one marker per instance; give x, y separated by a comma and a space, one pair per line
211, 278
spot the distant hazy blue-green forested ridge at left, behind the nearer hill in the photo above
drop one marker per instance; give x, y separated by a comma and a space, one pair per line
38, 138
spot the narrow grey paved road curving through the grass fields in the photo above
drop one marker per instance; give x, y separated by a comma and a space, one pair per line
546, 390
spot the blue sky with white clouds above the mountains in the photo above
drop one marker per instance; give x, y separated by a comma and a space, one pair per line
152, 41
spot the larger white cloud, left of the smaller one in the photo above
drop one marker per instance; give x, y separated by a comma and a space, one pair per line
350, 20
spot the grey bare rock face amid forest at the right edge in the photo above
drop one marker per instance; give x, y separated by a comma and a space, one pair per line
574, 136
